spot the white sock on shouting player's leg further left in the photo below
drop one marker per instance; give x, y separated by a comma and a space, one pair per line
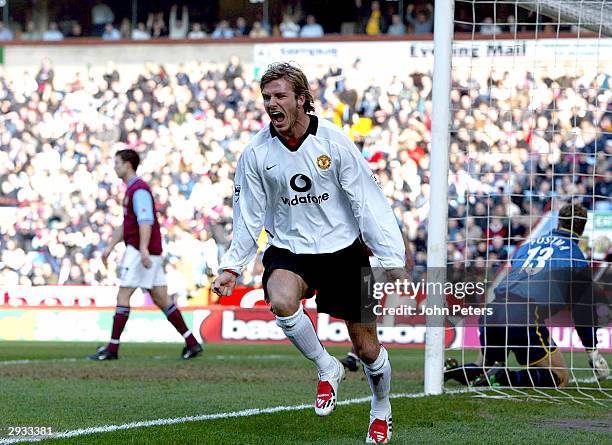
299, 329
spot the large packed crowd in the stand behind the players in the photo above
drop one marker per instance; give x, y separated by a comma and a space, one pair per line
510, 154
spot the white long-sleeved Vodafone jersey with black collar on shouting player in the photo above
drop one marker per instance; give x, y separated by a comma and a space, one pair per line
315, 198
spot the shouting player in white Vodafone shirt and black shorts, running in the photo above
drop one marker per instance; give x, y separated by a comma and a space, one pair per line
304, 181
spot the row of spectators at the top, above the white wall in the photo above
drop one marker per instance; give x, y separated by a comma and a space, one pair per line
365, 17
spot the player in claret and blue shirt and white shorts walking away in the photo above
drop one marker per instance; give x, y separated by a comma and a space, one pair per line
142, 264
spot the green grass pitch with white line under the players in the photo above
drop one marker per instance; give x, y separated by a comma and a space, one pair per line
58, 388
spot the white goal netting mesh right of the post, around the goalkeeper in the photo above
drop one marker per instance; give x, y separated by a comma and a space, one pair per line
531, 131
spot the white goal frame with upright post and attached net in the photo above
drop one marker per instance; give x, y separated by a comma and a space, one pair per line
550, 91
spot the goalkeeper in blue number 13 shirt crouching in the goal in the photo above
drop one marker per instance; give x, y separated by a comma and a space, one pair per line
547, 275
